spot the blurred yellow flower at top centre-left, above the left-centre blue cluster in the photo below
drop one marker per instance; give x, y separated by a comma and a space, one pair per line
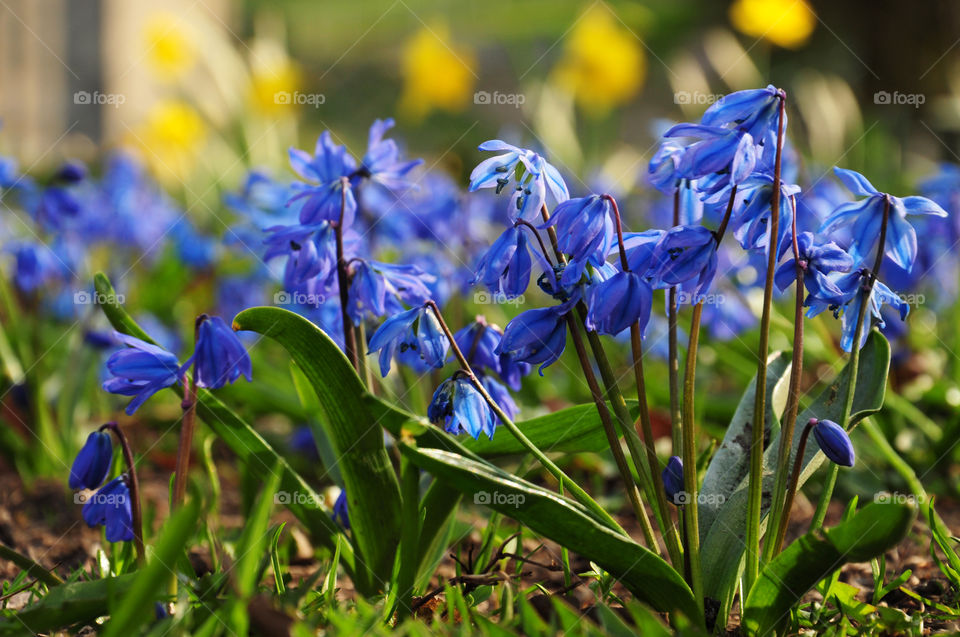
436, 75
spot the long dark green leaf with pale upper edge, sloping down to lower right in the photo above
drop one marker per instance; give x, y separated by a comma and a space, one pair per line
645, 574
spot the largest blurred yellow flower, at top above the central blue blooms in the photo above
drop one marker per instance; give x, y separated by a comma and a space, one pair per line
603, 63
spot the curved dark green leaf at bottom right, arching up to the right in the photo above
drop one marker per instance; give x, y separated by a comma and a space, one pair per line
873, 530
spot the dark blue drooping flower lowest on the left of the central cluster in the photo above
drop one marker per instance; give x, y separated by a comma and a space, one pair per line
536, 336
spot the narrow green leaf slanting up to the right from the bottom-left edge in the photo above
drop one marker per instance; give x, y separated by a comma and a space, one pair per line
135, 606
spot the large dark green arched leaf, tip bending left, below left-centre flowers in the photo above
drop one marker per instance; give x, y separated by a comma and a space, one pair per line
371, 484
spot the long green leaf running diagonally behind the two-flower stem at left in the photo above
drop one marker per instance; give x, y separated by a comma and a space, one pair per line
248, 445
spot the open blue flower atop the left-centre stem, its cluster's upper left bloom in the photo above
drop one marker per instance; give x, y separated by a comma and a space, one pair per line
326, 168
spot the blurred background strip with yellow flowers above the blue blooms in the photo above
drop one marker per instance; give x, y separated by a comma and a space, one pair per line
205, 89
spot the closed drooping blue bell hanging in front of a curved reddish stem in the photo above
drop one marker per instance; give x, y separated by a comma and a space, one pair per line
619, 302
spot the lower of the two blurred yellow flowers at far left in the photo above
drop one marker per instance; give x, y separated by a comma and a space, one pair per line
171, 138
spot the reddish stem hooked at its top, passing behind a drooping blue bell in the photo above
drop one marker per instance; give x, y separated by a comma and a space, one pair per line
643, 422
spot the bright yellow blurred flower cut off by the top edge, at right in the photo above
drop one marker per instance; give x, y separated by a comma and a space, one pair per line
786, 23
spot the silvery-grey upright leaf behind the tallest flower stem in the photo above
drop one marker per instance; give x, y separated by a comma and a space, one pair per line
731, 462
